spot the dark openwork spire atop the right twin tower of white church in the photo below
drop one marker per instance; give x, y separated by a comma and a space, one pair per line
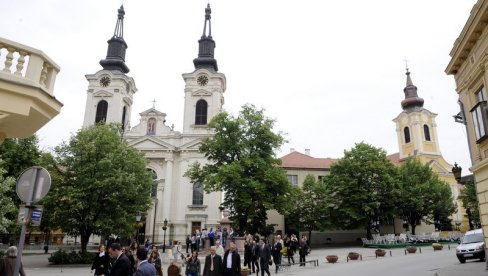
206, 46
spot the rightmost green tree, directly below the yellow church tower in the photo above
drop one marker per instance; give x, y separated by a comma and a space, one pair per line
423, 197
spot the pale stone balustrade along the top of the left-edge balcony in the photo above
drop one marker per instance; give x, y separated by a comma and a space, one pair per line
40, 70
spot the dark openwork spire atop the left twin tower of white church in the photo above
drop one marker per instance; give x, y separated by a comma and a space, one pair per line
115, 59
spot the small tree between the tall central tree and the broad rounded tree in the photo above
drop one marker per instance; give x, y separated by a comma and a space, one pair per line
310, 207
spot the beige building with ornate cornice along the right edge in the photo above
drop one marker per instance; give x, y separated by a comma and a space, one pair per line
468, 65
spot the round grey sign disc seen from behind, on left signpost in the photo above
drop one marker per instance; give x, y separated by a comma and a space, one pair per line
33, 184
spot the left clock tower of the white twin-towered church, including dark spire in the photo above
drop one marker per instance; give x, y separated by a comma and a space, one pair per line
110, 90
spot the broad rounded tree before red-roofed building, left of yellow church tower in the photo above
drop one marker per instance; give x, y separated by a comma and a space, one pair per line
363, 188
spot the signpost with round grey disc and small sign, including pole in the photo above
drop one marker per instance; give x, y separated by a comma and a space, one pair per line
32, 186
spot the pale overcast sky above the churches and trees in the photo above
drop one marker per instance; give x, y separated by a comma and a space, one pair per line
331, 73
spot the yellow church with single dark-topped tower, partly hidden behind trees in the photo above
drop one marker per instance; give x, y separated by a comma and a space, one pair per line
417, 137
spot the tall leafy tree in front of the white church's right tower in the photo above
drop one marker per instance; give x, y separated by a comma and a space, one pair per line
243, 165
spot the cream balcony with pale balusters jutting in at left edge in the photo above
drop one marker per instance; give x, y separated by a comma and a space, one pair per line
27, 78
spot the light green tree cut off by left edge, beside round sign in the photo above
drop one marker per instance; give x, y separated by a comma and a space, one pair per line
7, 206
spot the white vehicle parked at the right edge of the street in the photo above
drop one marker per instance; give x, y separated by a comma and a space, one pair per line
472, 246
